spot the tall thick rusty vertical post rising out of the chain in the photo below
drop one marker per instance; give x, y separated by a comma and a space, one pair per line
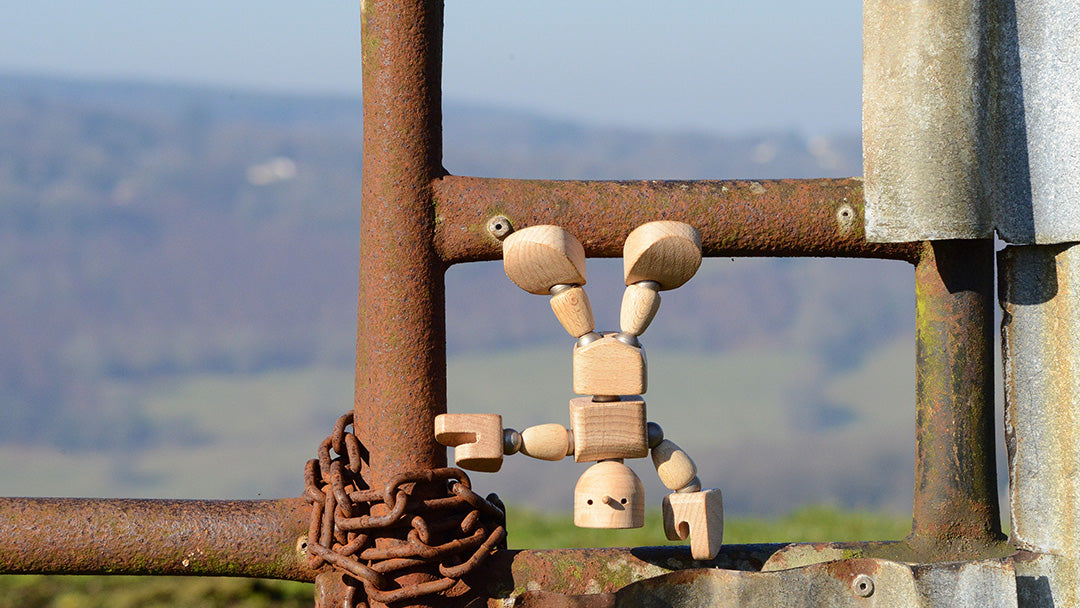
401, 343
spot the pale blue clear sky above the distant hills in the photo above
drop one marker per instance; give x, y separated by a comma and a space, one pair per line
711, 65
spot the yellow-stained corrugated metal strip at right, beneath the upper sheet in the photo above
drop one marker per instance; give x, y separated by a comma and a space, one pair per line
1041, 298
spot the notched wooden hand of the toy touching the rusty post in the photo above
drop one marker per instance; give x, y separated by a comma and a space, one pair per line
477, 440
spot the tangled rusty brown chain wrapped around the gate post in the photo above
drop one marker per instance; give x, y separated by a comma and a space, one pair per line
451, 529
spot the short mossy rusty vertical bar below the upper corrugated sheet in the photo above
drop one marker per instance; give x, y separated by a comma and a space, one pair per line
956, 495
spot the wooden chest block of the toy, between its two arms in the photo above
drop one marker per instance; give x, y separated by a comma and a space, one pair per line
609, 430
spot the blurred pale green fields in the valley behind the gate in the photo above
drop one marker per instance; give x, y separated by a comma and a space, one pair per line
752, 418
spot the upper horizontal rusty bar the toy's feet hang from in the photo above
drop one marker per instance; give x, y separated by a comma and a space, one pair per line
767, 218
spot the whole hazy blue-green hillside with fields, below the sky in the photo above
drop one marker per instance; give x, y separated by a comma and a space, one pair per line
179, 279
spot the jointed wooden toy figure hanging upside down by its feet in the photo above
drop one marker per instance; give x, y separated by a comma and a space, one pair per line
610, 424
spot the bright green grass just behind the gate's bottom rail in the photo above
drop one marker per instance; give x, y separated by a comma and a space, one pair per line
529, 530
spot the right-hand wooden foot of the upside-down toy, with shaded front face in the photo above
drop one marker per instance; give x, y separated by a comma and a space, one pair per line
666, 252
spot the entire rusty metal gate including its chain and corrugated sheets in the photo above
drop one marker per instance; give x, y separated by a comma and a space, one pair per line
964, 117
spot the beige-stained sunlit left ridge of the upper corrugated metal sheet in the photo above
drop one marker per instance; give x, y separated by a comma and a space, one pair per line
924, 73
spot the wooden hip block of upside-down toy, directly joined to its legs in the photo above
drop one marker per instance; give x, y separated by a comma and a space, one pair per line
610, 368
